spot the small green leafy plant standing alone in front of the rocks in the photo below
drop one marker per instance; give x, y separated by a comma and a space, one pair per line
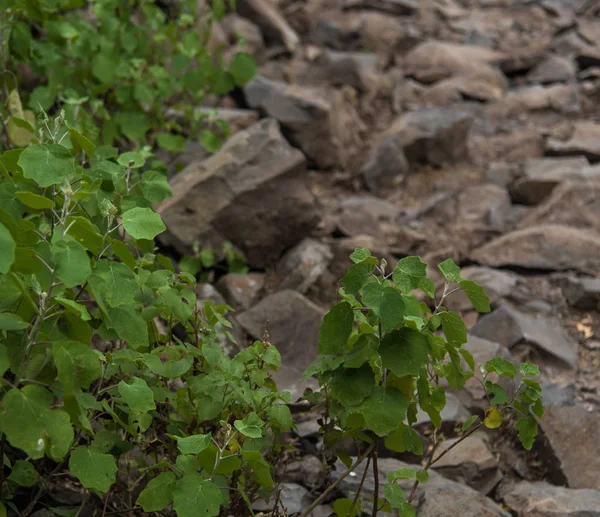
385, 356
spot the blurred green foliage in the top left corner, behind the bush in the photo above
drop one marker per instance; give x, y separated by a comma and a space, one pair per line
116, 67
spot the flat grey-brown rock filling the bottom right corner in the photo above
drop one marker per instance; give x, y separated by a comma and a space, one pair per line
542, 499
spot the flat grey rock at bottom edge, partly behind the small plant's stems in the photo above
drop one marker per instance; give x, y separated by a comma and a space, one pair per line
439, 496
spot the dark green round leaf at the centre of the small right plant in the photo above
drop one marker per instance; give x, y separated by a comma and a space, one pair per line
404, 351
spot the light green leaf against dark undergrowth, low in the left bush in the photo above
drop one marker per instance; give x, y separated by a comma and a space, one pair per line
95, 470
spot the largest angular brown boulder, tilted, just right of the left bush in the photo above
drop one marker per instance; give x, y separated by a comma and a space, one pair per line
256, 176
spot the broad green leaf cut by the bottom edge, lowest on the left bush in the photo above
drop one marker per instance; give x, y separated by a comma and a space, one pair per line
194, 496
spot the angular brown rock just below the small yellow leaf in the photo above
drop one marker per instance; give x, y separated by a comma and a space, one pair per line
471, 463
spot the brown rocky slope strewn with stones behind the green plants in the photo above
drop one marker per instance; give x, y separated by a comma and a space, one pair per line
445, 128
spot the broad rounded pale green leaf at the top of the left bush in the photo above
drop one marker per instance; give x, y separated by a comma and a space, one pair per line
47, 164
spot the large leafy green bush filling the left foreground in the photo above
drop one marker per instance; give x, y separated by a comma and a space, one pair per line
93, 371
